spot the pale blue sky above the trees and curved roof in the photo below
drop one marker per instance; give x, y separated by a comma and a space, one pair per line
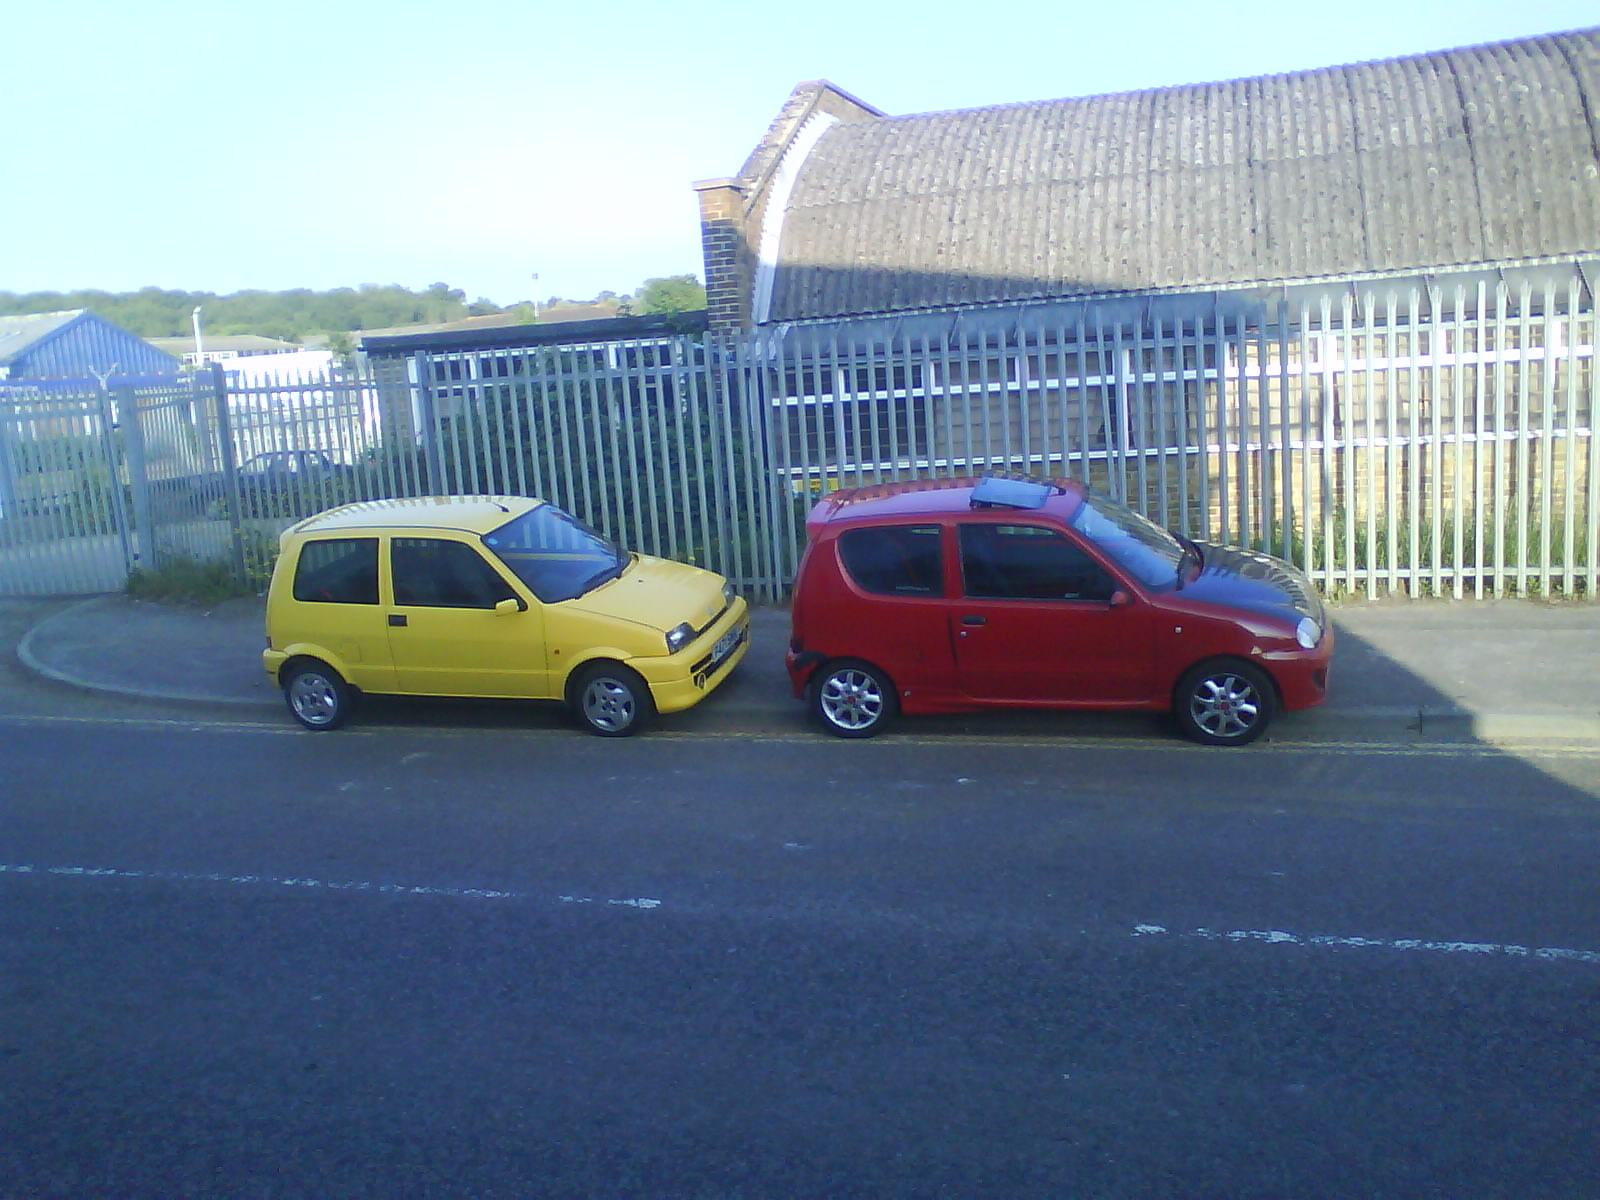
326, 143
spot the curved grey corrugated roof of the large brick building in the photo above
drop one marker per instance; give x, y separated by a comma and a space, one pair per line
1487, 154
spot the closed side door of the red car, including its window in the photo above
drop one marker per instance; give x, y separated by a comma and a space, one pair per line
1036, 622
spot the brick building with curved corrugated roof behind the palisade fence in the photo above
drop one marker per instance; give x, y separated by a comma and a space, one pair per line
1348, 306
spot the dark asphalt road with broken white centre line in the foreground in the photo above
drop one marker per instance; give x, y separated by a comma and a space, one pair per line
406, 961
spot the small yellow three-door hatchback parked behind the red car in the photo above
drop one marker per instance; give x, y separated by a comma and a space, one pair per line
492, 596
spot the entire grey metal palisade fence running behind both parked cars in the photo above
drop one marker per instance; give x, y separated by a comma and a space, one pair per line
1388, 438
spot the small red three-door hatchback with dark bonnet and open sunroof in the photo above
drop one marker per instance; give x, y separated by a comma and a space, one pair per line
948, 596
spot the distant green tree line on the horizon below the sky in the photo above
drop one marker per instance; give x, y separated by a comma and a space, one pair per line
300, 313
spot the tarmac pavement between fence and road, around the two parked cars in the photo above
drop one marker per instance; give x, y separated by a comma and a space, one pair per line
1420, 671
